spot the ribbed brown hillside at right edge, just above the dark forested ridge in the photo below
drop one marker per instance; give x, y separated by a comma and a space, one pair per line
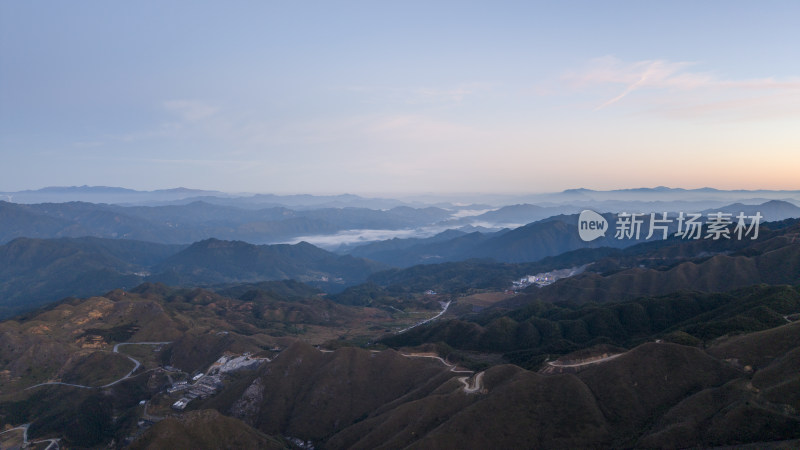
773, 259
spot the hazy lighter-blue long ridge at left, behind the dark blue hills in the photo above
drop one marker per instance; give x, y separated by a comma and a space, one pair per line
184, 224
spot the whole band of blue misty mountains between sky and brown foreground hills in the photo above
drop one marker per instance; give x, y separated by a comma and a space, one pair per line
75, 248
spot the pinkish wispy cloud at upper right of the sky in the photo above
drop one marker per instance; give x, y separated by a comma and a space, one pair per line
709, 93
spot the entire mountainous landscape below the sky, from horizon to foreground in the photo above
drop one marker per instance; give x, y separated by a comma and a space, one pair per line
411, 324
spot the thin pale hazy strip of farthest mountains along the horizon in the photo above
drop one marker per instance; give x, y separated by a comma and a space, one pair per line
461, 203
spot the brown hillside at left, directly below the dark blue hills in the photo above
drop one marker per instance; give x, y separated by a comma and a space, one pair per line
46, 345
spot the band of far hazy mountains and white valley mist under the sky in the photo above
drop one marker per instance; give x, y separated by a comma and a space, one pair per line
332, 221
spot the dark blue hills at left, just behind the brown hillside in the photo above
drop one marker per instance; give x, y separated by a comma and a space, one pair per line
34, 272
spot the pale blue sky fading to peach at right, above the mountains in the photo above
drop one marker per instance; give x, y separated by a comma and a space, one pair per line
383, 97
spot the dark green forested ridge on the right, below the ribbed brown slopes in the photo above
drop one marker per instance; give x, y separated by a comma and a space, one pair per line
528, 335
